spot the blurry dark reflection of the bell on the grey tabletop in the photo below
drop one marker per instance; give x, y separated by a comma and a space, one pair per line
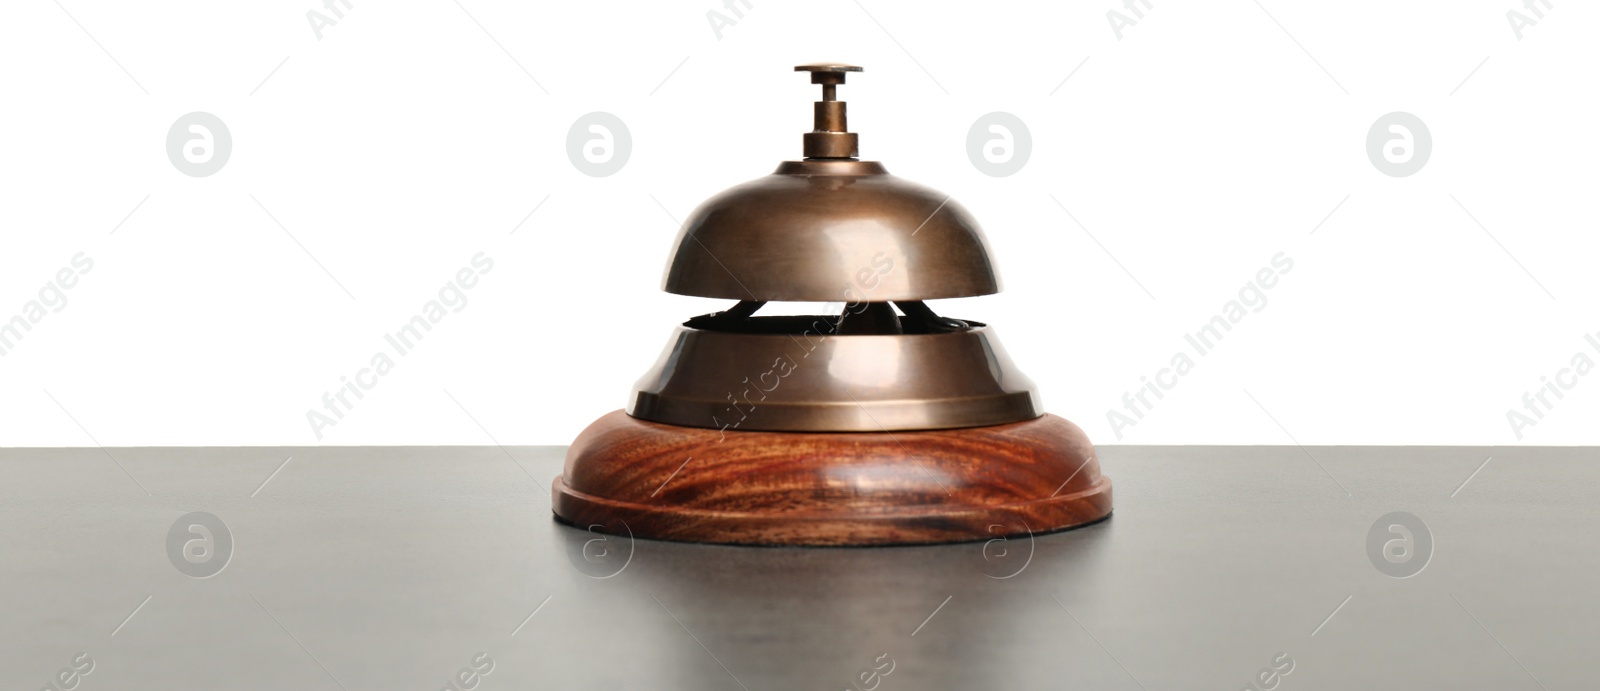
846, 610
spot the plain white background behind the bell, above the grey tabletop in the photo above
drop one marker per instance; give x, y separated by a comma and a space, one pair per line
409, 138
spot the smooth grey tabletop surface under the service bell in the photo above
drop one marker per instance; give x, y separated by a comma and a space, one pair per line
393, 569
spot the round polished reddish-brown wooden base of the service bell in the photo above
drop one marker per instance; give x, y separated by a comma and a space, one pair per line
831, 489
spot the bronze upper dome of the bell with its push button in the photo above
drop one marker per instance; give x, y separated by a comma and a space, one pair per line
815, 231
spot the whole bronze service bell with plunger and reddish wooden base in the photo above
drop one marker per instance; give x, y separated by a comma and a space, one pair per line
881, 425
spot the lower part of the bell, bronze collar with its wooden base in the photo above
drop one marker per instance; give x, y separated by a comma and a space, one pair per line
846, 441
